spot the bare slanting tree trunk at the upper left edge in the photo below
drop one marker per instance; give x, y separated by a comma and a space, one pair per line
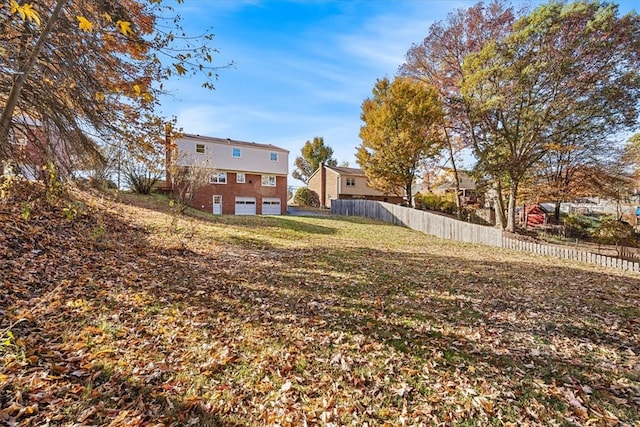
21, 78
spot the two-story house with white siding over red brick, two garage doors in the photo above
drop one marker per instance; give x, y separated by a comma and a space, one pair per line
246, 178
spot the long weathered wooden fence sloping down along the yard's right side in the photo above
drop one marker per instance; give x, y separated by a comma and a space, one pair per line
449, 228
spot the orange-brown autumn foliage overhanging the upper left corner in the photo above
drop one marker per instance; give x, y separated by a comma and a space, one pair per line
89, 74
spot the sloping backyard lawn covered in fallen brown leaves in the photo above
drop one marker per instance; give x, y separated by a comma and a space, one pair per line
122, 314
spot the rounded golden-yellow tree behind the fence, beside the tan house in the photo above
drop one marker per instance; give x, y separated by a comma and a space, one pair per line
402, 127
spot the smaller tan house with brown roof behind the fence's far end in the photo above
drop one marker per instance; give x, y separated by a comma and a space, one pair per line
332, 183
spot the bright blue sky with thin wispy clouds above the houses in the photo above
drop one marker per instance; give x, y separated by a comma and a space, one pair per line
302, 68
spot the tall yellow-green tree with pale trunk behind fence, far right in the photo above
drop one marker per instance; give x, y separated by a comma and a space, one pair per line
568, 72
